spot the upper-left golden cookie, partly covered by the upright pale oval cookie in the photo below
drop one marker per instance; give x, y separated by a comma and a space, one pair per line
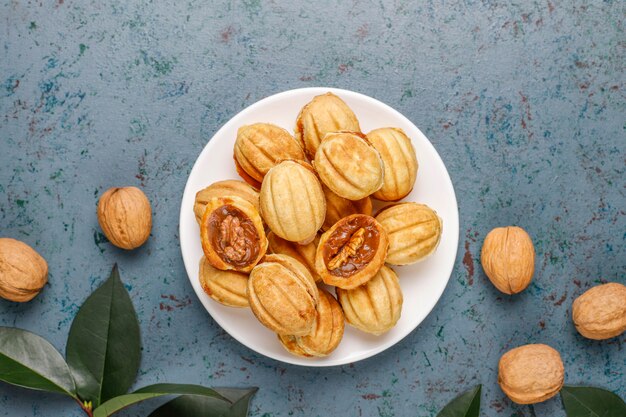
259, 147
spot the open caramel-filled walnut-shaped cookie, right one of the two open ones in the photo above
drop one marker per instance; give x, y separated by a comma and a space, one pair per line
351, 252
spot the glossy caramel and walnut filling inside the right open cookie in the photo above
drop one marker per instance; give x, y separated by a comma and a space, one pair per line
351, 246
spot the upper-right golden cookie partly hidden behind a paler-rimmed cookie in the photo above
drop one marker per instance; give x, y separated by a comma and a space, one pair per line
400, 162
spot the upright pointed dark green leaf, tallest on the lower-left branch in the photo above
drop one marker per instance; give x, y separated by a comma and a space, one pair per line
104, 347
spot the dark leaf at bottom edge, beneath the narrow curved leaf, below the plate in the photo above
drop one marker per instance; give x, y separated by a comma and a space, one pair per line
195, 406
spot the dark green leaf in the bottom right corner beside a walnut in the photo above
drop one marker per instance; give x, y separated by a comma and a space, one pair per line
591, 402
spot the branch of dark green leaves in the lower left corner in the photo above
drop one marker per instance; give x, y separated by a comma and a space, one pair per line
101, 362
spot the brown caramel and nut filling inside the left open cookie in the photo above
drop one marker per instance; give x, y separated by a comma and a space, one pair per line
233, 236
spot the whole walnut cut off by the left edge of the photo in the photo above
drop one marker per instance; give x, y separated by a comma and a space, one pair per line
23, 272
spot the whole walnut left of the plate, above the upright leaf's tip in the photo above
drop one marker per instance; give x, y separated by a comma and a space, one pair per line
125, 217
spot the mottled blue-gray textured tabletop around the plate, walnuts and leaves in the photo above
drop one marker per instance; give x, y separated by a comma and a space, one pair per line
525, 102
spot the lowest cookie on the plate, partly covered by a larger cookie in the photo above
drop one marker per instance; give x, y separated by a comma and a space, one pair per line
326, 334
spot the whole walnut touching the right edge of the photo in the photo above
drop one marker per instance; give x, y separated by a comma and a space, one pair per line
600, 312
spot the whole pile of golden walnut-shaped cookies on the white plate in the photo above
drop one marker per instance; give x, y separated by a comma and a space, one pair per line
302, 218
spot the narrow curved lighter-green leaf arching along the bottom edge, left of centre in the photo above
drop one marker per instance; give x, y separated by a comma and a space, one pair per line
153, 391
